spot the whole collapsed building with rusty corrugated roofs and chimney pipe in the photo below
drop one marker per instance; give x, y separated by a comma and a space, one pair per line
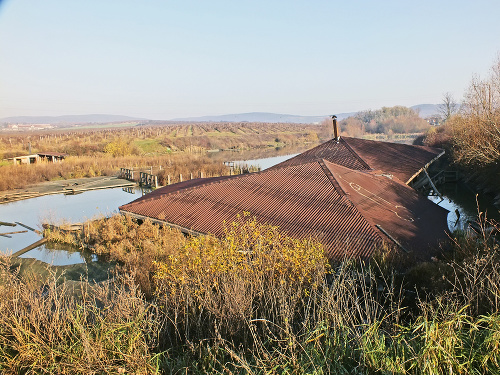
350, 194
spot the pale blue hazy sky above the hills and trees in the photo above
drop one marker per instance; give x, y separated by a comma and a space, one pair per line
162, 59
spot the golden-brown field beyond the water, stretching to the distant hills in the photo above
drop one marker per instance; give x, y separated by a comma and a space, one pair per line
176, 148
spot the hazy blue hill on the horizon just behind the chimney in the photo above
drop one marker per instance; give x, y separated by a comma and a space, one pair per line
262, 117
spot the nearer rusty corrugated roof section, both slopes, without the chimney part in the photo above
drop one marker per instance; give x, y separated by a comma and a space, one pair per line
336, 205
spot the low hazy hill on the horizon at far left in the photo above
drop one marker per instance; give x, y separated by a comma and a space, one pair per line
69, 119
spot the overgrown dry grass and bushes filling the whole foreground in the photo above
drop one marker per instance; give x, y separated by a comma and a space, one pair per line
256, 302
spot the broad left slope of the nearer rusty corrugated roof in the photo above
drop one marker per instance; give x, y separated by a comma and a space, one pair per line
301, 200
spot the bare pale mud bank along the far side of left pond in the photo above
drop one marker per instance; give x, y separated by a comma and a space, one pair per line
71, 186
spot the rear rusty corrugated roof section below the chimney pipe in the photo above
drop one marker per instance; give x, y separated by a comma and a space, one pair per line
401, 160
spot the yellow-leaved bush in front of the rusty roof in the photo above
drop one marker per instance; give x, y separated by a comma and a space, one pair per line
254, 272
